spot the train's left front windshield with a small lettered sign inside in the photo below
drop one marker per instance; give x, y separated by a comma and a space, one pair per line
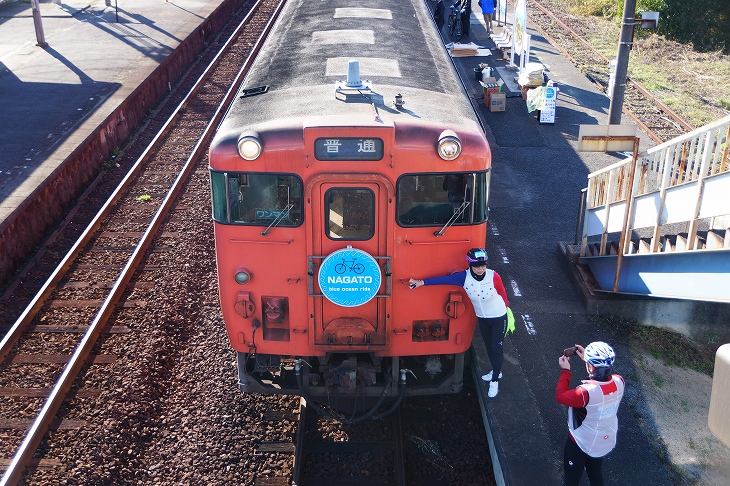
256, 199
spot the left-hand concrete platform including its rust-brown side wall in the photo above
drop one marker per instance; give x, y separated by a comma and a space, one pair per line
69, 104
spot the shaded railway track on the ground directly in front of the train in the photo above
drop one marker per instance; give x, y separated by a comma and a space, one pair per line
414, 445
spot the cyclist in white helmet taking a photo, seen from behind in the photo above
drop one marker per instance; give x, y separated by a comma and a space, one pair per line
592, 408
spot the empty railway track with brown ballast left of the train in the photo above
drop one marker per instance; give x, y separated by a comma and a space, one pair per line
110, 270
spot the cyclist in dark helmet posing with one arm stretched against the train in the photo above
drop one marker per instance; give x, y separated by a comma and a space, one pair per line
489, 298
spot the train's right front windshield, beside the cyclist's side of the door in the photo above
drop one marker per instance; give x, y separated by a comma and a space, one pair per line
434, 199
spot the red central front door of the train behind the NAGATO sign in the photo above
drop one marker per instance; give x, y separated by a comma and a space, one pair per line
350, 277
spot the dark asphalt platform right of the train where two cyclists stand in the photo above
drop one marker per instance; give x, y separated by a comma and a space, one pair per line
536, 181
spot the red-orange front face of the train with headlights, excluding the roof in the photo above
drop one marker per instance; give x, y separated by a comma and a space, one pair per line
316, 238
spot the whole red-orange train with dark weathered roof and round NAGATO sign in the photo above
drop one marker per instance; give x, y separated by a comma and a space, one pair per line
328, 195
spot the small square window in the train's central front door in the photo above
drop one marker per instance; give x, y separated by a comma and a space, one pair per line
350, 213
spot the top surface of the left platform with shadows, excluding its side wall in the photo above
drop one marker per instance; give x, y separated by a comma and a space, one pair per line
52, 97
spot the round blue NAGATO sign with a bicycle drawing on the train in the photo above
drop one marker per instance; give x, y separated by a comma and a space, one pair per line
349, 277
